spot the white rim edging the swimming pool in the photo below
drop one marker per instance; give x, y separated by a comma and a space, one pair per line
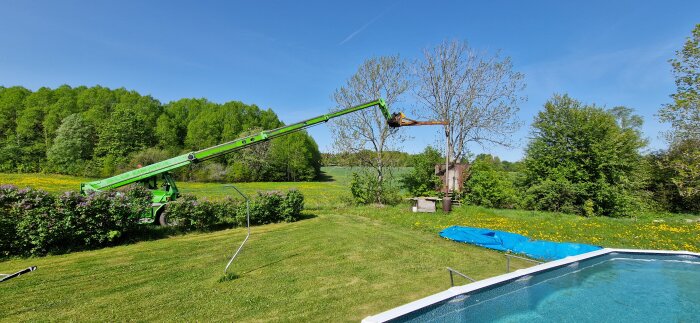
463, 289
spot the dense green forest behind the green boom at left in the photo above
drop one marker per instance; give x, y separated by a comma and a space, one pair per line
98, 132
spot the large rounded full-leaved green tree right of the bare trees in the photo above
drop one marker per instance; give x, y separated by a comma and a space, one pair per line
581, 160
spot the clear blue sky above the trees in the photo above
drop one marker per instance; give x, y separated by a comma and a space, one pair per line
291, 55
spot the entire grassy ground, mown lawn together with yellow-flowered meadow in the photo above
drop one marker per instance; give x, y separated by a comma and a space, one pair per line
341, 264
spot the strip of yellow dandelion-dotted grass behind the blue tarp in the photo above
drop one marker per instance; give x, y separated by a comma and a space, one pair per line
680, 232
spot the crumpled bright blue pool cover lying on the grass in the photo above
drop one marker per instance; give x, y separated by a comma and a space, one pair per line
507, 241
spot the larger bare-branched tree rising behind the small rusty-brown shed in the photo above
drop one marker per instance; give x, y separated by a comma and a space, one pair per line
476, 93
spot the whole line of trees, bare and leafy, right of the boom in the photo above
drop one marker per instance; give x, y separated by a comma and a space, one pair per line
581, 158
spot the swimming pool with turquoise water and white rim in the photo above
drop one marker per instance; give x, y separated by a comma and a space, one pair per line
606, 285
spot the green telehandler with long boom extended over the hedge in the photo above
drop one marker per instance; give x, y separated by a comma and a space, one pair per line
150, 176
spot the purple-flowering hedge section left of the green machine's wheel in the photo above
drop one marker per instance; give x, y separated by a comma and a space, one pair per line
33, 222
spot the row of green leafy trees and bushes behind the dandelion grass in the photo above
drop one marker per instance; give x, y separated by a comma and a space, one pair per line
581, 159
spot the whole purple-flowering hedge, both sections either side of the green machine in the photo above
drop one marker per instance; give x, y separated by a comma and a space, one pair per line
33, 222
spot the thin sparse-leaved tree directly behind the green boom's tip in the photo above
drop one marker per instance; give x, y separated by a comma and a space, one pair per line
379, 77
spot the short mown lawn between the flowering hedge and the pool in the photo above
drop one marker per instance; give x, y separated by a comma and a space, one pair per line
333, 267
